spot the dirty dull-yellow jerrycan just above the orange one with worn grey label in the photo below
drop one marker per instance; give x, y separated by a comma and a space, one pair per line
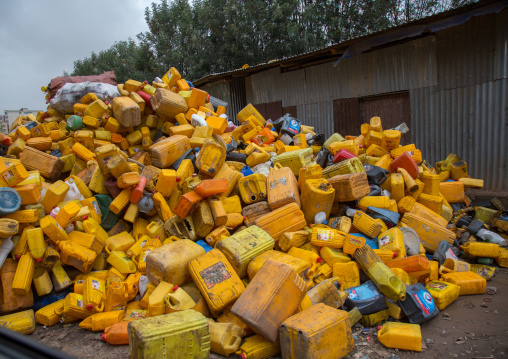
241, 247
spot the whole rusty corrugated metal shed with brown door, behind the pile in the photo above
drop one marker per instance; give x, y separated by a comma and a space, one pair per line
446, 76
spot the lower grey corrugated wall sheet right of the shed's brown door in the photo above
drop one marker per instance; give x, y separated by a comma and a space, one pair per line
469, 121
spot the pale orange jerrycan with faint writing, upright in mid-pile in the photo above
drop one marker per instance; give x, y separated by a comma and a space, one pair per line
282, 187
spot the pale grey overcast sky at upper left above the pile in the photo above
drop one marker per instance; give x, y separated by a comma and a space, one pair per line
39, 40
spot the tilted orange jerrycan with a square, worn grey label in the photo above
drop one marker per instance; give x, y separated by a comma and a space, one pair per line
217, 280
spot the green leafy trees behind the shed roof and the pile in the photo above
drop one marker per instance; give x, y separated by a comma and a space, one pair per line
206, 36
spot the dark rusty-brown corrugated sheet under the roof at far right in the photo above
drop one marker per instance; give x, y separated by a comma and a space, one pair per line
466, 54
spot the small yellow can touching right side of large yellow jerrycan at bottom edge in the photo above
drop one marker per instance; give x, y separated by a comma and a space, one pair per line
225, 338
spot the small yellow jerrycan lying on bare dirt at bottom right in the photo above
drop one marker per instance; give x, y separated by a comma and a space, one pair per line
401, 336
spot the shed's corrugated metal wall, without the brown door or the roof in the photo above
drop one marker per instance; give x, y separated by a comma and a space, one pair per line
457, 81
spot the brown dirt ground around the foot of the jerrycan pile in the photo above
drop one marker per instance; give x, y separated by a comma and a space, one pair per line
473, 327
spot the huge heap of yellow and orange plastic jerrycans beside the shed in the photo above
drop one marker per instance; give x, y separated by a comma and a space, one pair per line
153, 219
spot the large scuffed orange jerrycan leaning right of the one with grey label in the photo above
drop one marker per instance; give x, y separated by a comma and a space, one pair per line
277, 291
